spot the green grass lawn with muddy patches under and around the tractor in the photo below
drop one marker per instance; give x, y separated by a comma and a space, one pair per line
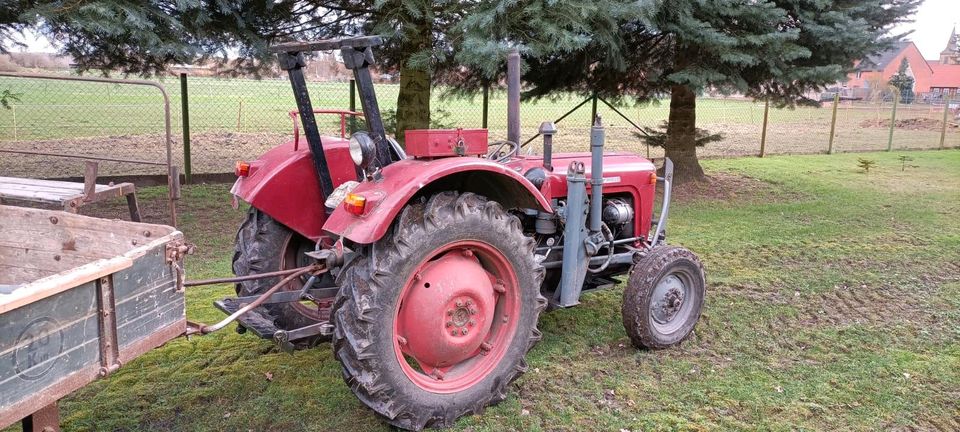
833, 304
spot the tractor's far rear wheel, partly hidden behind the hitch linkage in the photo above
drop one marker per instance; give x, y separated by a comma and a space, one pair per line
265, 245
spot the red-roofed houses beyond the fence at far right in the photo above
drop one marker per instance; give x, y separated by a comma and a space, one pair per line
941, 76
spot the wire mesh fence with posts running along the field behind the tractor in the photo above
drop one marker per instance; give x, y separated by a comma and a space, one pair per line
239, 119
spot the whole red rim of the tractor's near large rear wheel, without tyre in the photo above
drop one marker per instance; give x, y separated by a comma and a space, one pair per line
457, 316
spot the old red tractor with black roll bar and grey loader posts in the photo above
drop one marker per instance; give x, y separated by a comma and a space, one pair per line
440, 257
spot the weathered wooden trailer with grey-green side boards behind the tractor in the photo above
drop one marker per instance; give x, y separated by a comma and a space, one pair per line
79, 297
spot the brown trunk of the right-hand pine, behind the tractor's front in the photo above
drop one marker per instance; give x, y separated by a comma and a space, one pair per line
681, 135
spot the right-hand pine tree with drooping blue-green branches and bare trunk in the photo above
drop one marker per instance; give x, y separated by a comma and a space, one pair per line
776, 49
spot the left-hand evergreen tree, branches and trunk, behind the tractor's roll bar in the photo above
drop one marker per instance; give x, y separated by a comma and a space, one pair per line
144, 37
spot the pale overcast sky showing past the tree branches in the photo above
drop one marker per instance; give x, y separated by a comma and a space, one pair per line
931, 28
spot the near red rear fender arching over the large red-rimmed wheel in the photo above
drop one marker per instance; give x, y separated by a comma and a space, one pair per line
404, 179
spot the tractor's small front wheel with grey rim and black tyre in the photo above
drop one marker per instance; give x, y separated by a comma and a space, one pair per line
663, 297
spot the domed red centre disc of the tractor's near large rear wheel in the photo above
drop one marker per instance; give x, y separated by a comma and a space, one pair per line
447, 316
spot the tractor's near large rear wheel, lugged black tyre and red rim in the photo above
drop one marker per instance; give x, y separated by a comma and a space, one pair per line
434, 320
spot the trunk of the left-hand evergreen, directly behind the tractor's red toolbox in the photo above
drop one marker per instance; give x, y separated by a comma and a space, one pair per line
413, 100
